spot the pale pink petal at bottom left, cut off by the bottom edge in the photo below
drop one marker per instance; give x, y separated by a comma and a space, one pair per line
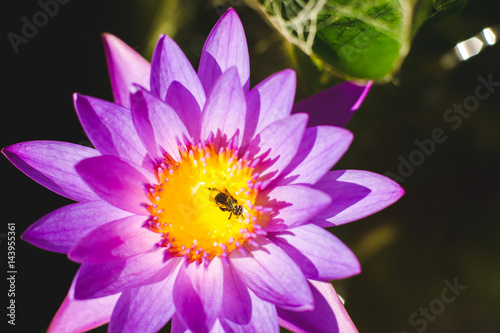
82, 315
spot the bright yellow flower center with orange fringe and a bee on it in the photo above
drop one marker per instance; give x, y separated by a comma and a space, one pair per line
204, 203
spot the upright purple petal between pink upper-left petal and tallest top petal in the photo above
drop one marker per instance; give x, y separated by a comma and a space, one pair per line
170, 65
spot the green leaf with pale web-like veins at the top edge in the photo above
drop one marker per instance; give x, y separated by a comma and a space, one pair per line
354, 39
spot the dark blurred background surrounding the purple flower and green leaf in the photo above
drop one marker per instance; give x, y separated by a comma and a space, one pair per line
446, 227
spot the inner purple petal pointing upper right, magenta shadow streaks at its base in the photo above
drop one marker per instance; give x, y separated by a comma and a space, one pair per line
277, 144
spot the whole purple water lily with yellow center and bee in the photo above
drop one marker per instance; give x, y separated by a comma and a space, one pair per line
203, 202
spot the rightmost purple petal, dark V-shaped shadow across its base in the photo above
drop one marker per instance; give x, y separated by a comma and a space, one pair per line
355, 194
